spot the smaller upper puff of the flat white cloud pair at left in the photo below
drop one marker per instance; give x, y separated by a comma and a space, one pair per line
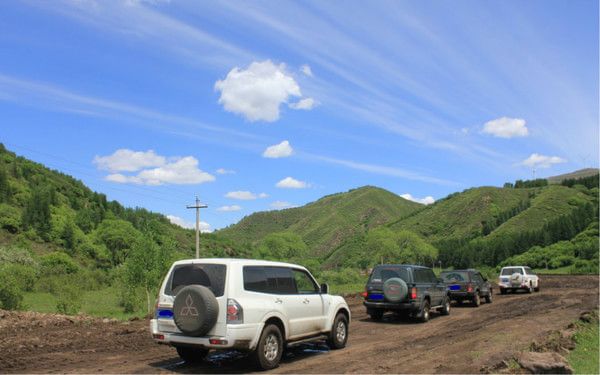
125, 160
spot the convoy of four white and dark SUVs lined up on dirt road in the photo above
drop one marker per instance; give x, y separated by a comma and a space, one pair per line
264, 307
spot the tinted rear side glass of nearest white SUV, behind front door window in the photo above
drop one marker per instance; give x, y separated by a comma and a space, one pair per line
265, 279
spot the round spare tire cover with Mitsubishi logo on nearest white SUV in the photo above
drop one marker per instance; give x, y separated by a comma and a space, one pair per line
195, 310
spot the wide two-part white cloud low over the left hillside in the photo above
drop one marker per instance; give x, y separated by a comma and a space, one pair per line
177, 170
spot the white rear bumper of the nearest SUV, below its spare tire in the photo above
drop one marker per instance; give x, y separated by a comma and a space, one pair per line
238, 336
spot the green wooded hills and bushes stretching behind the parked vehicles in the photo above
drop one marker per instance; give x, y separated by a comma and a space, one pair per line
65, 248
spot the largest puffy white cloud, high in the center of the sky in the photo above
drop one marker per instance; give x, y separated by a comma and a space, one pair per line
258, 91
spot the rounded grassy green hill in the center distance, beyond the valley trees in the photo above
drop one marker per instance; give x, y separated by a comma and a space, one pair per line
326, 224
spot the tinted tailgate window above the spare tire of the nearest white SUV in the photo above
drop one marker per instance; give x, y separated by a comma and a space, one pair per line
211, 276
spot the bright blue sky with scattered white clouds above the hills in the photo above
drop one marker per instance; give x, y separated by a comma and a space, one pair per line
261, 105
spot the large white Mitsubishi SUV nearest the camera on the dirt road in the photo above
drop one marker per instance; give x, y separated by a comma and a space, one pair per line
248, 305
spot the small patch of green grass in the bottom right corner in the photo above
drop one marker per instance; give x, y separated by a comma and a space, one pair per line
584, 358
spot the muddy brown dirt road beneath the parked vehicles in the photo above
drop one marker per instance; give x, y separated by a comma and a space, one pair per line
467, 341
